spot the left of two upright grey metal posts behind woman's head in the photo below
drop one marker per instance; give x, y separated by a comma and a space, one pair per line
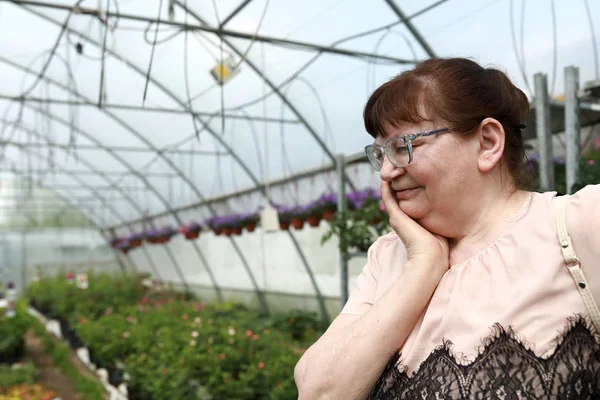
544, 136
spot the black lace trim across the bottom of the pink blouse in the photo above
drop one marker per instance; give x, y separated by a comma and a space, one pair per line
504, 368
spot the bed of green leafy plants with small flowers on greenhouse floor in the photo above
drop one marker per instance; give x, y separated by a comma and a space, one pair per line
169, 345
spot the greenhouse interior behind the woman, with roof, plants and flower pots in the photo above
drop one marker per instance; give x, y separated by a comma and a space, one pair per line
186, 203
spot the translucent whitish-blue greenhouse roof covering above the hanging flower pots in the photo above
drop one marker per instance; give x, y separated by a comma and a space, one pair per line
136, 108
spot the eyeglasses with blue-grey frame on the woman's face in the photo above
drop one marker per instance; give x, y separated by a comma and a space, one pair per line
399, 149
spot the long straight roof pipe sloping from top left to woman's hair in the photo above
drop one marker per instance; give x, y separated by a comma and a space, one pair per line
217, 31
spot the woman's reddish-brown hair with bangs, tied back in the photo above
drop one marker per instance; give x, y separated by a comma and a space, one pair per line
460, 92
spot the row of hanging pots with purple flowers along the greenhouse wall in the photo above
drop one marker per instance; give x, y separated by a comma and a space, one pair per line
323, 208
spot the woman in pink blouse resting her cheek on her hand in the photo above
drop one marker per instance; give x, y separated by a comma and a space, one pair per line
484, 290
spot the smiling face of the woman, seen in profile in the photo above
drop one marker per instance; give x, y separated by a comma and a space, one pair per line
436, 188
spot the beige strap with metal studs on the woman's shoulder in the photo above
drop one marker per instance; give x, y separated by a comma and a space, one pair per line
573, 263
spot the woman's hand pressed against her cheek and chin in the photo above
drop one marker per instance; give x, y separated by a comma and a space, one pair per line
420, 244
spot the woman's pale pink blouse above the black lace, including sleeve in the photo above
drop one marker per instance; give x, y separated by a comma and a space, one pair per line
519, 286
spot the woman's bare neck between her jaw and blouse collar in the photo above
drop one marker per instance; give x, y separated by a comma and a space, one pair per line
484, 223
